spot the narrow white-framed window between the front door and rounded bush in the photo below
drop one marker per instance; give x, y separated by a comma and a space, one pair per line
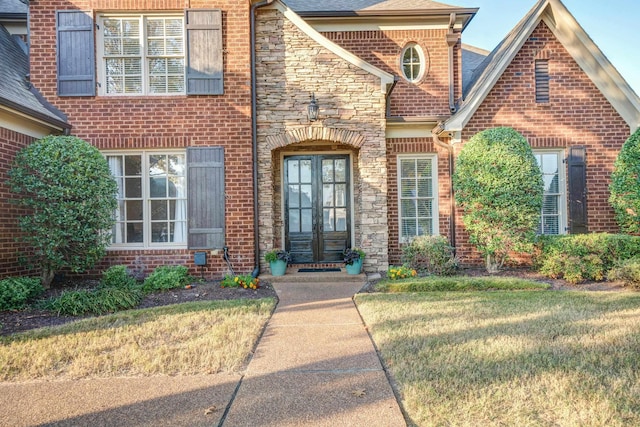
418, 196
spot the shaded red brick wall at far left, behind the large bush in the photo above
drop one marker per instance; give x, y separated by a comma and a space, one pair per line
10, 143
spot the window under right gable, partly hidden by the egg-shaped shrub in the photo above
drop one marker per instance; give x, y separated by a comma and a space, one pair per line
553, 216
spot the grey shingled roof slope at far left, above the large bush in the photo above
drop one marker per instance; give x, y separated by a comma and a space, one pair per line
16, 92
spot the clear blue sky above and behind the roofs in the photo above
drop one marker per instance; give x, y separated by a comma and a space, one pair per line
611, 24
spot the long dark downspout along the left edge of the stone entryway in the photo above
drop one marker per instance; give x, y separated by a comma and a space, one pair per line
254, 134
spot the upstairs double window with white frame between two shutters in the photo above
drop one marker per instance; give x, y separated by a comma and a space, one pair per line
142, 54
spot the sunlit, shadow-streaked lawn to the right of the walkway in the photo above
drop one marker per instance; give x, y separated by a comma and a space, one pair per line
525, 358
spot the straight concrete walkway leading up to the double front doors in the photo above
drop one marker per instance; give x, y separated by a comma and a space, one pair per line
315, 365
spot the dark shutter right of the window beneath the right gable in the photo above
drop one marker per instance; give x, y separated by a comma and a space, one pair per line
577, 165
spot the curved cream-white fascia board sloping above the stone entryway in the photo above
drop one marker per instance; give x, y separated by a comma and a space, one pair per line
385, 78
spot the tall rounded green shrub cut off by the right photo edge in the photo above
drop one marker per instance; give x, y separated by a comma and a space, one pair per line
624, 187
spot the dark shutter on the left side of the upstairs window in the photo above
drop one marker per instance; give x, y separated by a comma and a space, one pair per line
76, 63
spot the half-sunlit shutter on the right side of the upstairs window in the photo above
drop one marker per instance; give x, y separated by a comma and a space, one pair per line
204, 52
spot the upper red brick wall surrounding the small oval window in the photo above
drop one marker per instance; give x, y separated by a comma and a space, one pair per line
430, 96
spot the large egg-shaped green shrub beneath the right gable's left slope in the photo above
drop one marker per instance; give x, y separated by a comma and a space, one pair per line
498, 185
